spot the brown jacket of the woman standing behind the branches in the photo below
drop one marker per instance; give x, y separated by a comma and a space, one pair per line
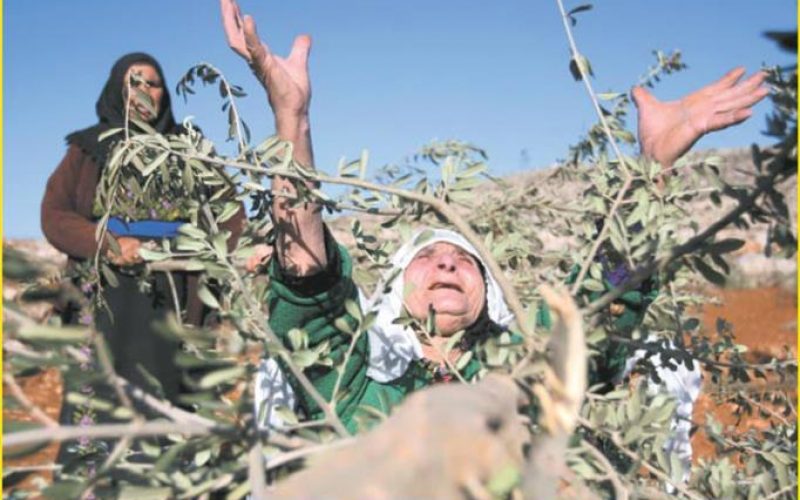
68, 223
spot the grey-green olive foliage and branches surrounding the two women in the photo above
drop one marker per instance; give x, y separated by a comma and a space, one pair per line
620, 214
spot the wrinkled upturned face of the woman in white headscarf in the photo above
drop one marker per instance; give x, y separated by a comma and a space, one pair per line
449, 279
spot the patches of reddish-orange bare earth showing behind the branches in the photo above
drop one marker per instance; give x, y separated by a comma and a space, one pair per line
764, 319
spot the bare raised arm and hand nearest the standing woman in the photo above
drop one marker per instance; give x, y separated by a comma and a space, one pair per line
300, 242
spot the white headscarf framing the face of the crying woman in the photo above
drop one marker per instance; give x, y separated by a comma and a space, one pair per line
391, 346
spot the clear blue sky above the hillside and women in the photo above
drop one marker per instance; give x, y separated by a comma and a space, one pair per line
387, 76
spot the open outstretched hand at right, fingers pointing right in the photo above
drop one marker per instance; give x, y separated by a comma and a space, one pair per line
668, 129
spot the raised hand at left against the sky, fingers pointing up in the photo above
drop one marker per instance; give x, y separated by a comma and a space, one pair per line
285, 79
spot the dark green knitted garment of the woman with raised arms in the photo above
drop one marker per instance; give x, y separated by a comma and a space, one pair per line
316, 314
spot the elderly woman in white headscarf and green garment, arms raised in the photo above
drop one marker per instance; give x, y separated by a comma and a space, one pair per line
440, 272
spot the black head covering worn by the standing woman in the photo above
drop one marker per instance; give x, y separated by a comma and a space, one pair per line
110, 109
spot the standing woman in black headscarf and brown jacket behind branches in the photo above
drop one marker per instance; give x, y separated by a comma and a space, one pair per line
135, 91
